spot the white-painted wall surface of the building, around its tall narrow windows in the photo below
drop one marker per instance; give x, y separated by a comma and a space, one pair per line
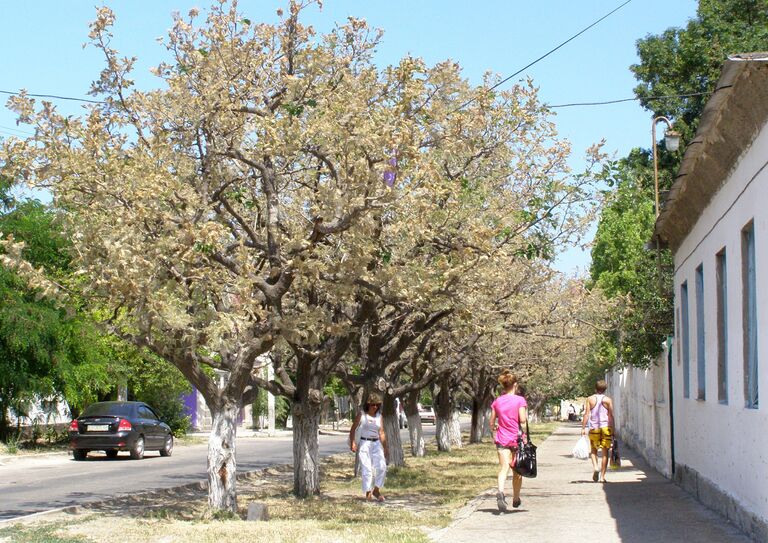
727, 443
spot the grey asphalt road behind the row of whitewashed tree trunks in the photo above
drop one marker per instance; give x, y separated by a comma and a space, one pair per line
32, 485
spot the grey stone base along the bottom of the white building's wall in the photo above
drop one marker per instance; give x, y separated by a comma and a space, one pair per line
717, 499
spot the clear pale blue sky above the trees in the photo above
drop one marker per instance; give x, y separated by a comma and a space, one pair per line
41, 50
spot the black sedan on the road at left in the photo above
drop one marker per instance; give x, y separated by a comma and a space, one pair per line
119, 426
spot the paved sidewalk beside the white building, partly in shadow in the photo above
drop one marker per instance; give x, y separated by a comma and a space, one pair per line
562, 504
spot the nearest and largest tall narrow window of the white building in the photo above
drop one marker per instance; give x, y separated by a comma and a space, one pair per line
749, 316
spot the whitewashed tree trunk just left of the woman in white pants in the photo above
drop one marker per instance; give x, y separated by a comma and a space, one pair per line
306, 465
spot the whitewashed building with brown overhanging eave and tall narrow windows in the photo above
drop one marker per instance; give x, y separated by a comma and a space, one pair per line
716, 223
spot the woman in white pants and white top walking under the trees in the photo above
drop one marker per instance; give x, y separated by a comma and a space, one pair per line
373, 452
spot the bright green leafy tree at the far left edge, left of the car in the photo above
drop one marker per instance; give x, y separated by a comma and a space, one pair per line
44, 350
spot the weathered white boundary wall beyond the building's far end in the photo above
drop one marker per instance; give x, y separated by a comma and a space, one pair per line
641, 411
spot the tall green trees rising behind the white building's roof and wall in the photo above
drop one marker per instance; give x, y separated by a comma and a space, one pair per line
682, 65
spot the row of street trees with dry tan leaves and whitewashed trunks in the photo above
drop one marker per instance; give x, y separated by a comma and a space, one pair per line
279, 194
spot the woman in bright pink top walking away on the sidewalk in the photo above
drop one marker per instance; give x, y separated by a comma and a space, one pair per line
508, 411
